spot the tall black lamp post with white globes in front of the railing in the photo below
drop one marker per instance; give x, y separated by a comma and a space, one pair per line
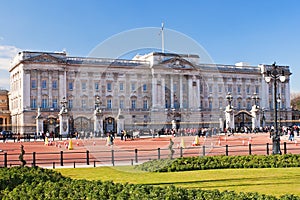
276, 75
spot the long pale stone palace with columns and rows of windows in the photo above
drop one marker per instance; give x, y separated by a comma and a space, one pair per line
148, 92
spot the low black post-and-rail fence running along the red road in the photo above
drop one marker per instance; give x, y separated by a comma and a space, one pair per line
114, 157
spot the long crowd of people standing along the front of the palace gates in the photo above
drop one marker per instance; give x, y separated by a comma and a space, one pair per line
290, 131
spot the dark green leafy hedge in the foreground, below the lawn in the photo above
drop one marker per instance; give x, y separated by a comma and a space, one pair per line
37, 183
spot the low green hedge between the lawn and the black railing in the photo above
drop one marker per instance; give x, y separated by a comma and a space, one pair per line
221, 162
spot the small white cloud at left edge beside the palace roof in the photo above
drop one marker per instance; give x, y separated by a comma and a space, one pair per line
7, 53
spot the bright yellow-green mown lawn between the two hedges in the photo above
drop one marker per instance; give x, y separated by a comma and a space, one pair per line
274, 181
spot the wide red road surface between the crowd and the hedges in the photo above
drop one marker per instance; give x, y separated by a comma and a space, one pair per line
99, 153
